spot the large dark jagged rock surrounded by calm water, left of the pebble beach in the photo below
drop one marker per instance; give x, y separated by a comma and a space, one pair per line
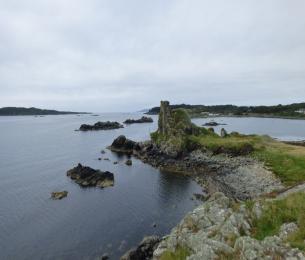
88, 177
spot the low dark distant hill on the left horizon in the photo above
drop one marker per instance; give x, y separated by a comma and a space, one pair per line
32, 111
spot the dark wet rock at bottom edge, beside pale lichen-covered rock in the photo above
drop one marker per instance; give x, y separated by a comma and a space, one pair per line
144, 250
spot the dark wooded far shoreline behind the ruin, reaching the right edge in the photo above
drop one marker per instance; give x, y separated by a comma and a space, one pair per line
296, 110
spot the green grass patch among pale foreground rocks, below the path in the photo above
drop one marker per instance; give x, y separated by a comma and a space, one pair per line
278, 212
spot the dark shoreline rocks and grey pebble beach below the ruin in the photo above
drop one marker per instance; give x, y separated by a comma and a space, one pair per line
239, 177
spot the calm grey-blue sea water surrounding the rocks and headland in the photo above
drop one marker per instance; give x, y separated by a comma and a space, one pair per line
35, 154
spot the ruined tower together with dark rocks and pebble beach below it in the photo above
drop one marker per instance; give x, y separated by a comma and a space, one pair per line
227, 170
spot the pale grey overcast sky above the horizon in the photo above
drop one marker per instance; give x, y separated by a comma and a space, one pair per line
119, 55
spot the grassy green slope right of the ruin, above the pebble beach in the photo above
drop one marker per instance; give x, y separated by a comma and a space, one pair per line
286, 161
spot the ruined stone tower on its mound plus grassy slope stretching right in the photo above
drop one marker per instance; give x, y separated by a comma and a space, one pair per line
177, 135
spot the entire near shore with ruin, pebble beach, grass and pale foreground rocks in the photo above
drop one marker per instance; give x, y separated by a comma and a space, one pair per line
252, 211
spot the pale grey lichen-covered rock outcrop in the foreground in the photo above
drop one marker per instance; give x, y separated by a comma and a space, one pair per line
218, 230
